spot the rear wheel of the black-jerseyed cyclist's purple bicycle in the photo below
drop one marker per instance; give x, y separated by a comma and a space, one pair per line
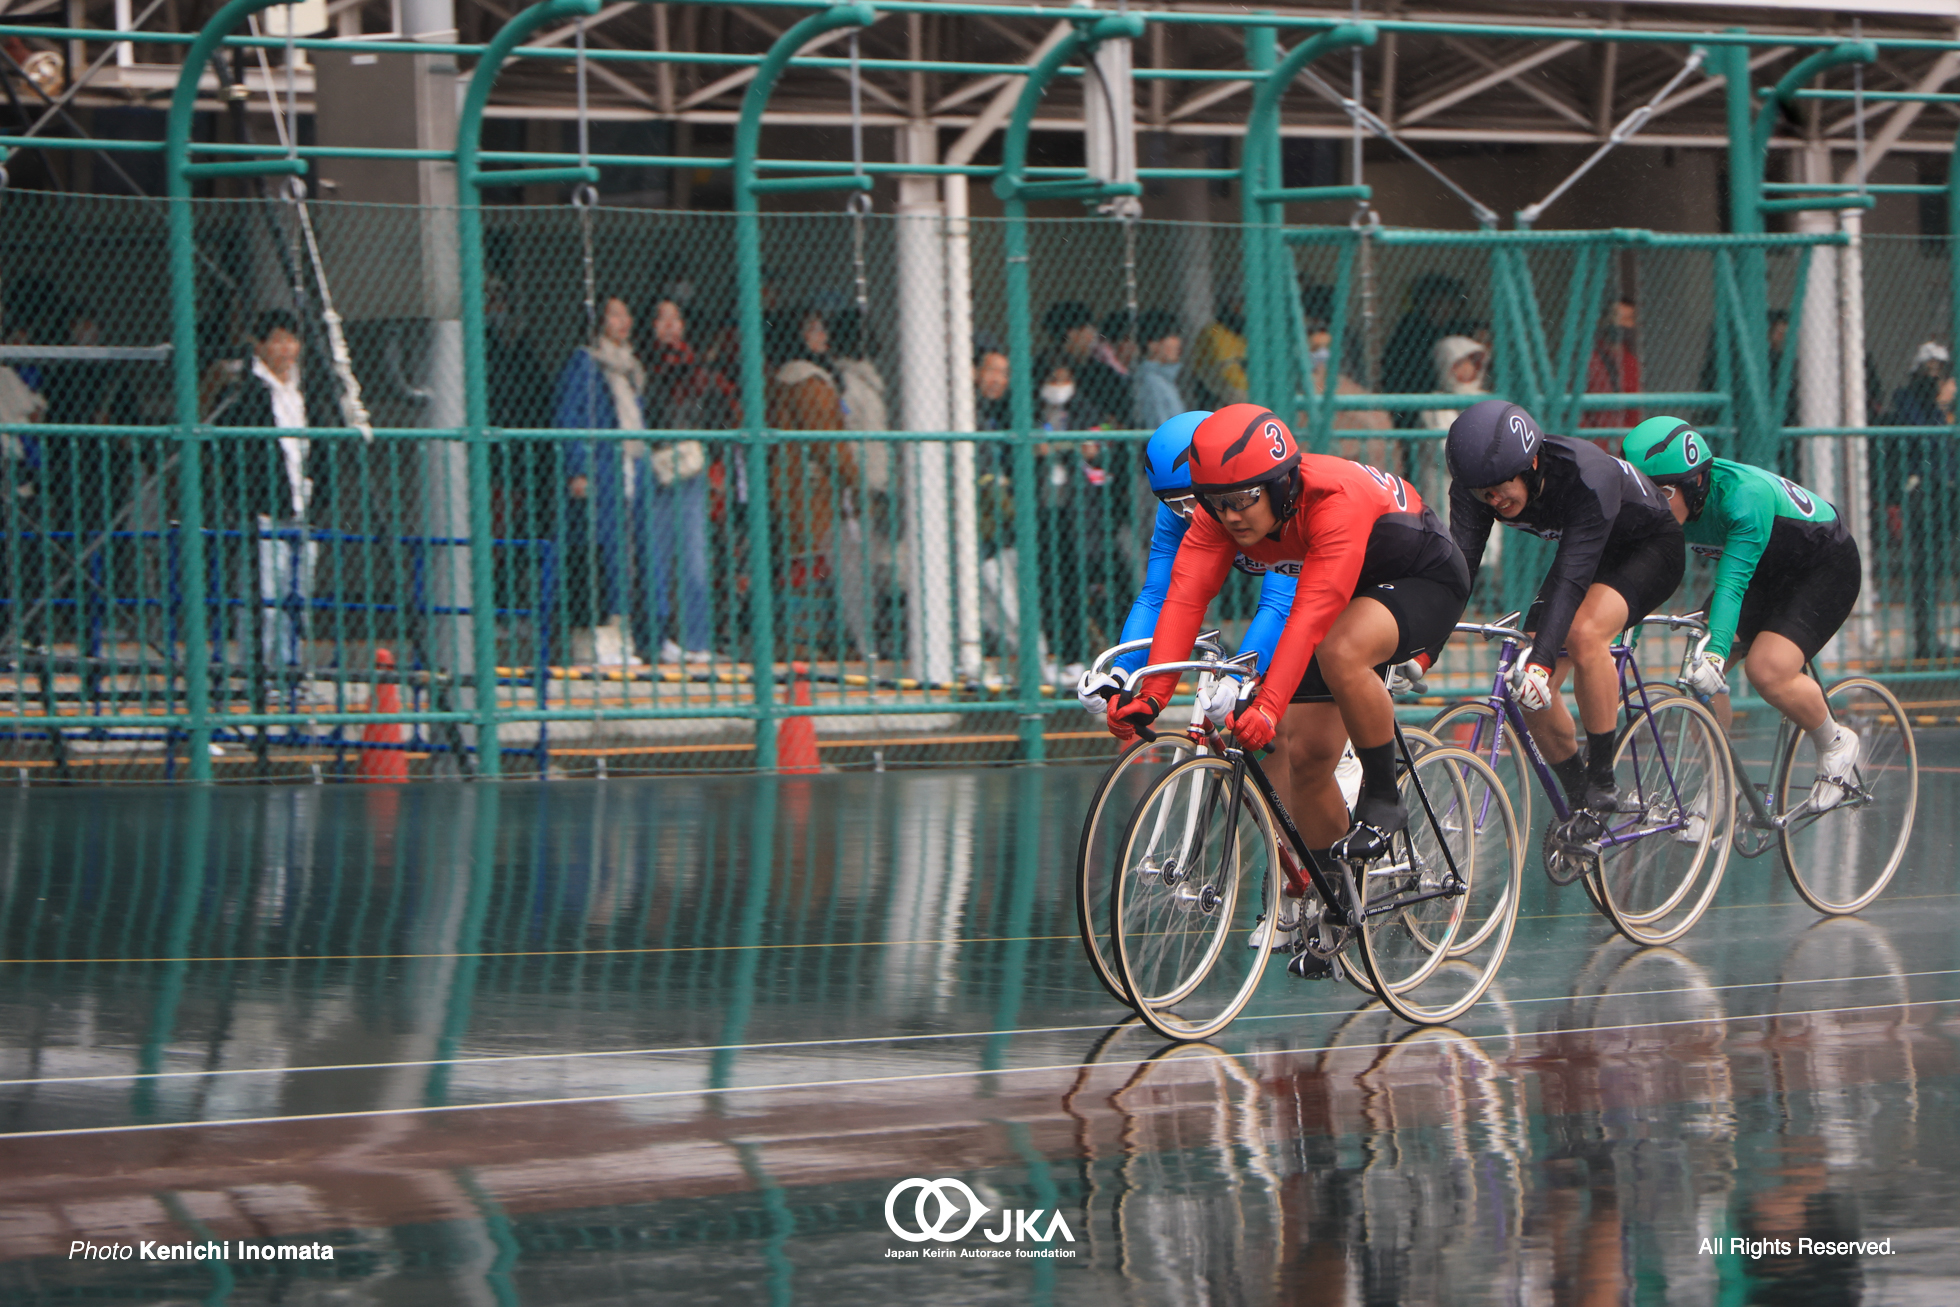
1663, 859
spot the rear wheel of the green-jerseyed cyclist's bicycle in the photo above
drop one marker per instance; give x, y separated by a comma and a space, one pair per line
1843, 857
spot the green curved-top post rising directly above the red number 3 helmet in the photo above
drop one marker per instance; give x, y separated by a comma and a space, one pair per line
1265, 262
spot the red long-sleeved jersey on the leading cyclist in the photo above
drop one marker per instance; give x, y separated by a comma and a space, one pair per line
1353, 528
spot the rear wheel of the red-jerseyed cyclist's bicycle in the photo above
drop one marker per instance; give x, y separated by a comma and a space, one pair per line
1445, 893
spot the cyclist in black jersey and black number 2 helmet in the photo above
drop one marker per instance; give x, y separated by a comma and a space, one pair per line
1620, 557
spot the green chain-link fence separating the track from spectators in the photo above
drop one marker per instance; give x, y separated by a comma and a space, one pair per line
334, 614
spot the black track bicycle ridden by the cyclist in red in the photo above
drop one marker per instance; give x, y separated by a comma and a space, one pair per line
1202, 896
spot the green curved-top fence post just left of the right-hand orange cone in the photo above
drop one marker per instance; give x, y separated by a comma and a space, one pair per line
754, 385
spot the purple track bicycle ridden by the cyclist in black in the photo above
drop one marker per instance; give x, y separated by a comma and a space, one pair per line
1653, 867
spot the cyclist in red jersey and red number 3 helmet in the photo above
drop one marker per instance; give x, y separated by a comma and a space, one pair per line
1381, 583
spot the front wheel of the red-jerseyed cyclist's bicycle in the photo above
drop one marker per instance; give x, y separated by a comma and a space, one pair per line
1195, 906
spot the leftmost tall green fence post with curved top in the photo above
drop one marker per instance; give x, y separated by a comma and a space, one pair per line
185, 373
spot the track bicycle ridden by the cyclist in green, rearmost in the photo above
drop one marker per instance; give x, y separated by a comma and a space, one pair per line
1845, 851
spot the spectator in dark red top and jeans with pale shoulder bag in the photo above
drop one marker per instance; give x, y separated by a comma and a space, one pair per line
671, 495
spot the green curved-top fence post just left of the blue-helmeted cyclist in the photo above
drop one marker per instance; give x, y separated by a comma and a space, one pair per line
1010, 187
